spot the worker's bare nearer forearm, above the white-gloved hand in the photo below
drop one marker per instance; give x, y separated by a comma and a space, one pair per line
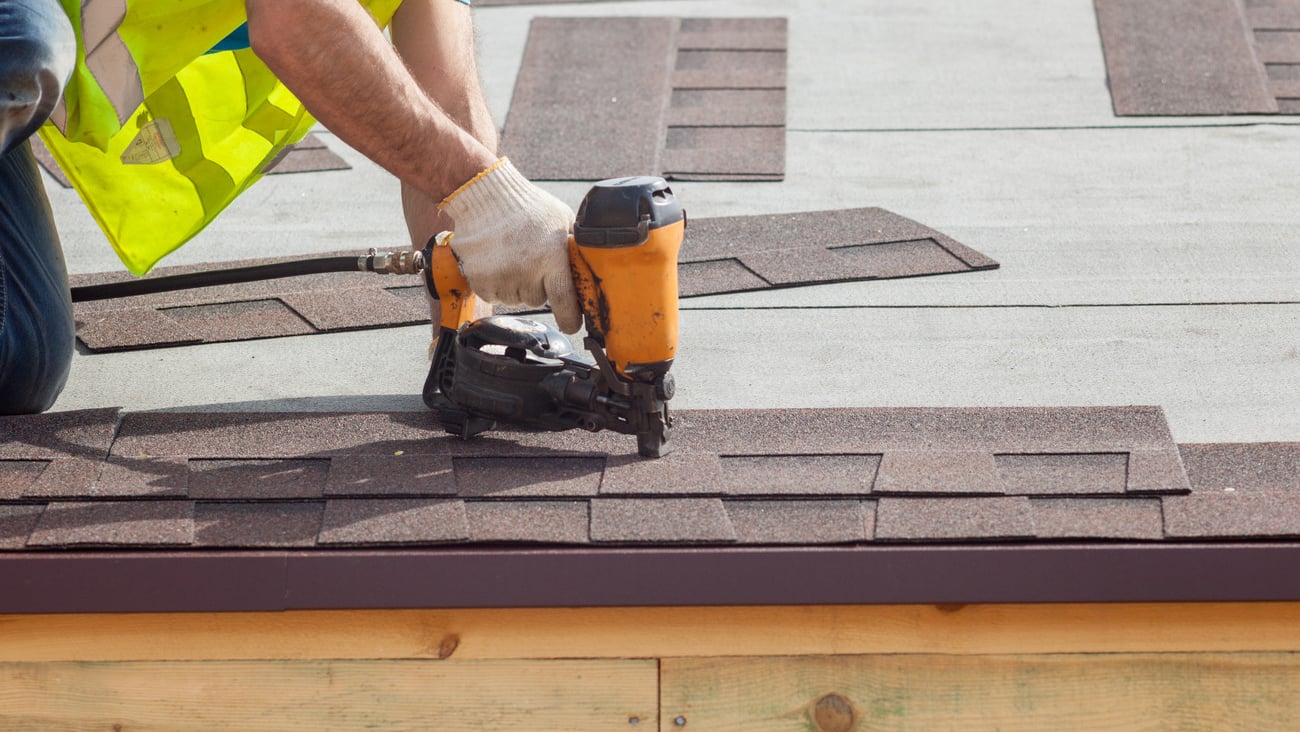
339, 63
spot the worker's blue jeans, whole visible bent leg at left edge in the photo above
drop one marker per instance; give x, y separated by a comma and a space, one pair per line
37, 331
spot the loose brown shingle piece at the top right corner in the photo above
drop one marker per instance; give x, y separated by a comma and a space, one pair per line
1202, 57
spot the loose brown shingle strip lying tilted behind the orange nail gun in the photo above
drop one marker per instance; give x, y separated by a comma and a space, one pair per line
720, 255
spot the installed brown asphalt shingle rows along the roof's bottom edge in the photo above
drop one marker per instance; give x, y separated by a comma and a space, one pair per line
744, 477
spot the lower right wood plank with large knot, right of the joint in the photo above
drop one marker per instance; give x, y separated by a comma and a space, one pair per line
1011, 694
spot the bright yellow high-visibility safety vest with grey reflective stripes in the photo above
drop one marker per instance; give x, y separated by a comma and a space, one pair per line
157, 135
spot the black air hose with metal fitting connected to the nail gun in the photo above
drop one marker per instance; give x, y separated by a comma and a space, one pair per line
382, 263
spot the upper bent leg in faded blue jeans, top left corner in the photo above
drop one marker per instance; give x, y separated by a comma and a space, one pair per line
38, 51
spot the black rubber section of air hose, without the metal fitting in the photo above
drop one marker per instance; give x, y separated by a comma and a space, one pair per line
214, 278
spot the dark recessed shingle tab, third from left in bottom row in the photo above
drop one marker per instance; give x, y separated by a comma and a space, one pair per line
262, 525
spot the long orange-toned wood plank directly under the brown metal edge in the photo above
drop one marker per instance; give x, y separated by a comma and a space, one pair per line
655, 633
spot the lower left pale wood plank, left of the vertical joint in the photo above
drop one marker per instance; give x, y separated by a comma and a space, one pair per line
330, 695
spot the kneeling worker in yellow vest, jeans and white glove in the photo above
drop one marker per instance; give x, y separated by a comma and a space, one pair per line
127, 112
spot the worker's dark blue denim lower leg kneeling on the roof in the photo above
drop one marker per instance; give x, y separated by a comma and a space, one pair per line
37, 330
